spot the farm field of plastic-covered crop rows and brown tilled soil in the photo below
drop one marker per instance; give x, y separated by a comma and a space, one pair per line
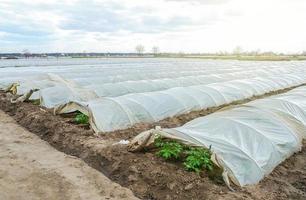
249, 115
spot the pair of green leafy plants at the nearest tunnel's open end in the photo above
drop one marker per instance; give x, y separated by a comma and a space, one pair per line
193, 158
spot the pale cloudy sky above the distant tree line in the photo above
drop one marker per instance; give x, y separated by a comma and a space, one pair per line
189, 26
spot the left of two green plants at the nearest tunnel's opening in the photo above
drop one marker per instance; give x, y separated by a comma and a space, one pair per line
168, 149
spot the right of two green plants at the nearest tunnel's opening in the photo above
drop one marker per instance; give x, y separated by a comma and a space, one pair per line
197, 159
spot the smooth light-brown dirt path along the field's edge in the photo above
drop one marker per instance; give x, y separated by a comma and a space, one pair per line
31, 169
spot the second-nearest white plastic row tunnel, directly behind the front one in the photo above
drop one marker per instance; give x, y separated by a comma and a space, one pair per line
109, 114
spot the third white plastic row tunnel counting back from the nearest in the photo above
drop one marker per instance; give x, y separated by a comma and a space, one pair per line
69, 91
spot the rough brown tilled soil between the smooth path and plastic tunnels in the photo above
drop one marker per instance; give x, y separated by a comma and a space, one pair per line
146, 175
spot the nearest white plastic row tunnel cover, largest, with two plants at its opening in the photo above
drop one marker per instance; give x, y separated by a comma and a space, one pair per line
248, 141
